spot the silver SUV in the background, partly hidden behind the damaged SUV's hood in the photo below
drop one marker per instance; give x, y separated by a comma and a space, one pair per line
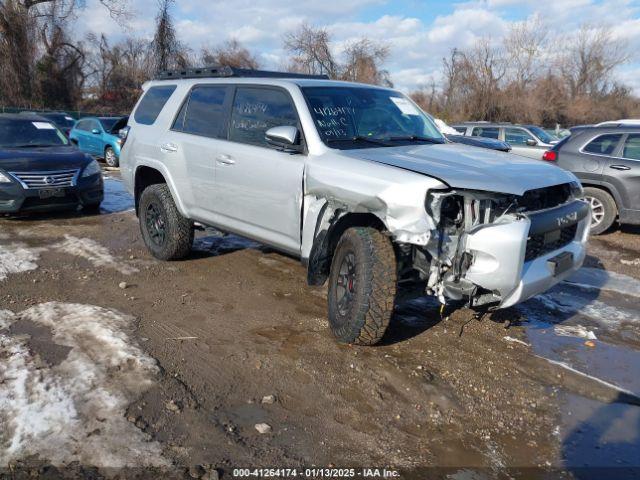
525, 140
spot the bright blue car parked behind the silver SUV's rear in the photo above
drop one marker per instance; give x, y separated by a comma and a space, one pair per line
98, 136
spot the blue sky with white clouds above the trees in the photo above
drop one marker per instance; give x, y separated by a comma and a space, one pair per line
419, 32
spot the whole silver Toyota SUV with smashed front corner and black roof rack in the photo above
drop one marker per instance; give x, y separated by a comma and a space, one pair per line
354, 180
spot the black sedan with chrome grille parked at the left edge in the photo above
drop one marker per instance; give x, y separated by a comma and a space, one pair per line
40, 170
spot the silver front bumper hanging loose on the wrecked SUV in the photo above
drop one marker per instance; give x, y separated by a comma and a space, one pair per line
511, 260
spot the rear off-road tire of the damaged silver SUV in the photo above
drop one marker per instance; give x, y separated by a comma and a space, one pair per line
178, 238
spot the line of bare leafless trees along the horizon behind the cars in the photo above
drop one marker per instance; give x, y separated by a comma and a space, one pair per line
528, 76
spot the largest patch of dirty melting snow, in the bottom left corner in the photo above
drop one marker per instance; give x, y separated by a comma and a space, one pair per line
75, 411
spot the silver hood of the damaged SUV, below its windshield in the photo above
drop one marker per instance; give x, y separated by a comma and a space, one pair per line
471, 168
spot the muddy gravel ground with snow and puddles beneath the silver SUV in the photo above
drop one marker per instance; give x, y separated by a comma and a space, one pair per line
115, 364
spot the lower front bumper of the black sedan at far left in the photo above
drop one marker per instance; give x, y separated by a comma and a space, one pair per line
16, 199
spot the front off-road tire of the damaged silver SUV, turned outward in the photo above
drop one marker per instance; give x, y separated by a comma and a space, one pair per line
374, 292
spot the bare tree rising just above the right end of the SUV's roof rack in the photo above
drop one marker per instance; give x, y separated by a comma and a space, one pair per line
311, 51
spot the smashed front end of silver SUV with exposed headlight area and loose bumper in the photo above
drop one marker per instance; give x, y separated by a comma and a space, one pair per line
495, 250
